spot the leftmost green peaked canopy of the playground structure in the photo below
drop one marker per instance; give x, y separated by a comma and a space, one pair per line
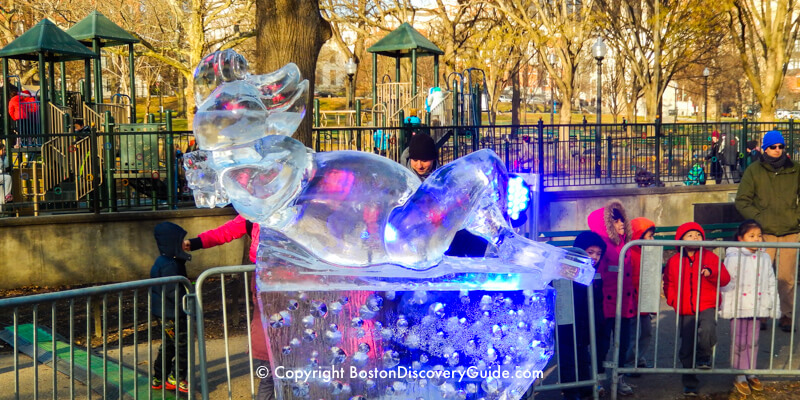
48, 39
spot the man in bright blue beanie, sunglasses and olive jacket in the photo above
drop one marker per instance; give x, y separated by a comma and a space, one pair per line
768, 193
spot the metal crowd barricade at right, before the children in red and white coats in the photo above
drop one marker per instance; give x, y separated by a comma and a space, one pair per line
707, 345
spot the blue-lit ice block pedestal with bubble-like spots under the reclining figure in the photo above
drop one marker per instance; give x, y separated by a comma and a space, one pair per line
465, 335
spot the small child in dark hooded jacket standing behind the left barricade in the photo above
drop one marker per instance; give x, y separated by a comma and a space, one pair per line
170, 262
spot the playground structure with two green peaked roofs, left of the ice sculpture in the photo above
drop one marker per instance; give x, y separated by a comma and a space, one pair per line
54, 163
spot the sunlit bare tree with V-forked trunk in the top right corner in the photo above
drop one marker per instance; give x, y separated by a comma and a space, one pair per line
764, 33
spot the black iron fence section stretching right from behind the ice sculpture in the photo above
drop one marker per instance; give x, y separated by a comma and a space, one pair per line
580, 154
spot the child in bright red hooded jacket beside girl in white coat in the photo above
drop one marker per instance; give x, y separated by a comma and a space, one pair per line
691, 285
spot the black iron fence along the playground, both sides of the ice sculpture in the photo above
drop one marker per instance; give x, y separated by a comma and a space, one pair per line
139, 166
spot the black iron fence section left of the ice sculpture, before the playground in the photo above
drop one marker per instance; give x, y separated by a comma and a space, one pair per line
116, 167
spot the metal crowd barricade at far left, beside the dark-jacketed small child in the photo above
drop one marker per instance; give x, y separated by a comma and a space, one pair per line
70, 359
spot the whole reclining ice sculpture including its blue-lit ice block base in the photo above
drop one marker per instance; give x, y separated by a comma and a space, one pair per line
351, 274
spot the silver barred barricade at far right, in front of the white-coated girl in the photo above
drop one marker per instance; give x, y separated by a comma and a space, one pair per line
782, 363
